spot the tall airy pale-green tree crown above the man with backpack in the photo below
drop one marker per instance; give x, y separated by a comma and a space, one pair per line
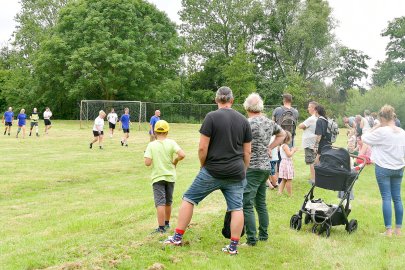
296, 38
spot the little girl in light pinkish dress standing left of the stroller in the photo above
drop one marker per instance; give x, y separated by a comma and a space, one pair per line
286, 170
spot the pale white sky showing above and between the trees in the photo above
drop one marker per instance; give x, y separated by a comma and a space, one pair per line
360, 22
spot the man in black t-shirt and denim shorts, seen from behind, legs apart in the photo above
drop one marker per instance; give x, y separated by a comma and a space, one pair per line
224, 152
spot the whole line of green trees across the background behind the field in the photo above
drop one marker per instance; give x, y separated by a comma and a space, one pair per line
63, 51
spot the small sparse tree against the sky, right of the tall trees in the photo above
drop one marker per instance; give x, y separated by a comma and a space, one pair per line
352, 67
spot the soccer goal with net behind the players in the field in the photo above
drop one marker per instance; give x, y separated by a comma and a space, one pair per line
89, 110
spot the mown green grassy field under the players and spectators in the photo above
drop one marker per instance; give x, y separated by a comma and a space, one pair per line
64, 206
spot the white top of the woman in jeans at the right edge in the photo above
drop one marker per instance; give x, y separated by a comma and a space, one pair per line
388, 147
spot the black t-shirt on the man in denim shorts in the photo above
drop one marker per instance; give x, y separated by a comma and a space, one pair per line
228, 131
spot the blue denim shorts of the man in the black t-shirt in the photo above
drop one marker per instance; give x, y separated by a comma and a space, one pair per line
204, 184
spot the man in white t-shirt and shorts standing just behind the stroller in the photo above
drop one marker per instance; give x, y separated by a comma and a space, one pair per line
309, 138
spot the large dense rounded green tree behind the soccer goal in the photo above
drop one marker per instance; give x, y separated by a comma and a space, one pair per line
101, 49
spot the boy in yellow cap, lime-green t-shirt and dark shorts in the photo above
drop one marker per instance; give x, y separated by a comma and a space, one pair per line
159, 155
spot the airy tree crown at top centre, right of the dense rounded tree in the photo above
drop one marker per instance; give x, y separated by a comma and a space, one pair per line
218, 26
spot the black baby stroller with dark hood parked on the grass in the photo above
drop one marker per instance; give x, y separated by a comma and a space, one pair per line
332, 173
